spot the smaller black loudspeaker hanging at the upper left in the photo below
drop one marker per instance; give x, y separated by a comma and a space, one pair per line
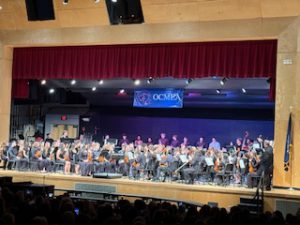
40, 10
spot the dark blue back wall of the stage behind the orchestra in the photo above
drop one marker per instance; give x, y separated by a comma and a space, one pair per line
225, 130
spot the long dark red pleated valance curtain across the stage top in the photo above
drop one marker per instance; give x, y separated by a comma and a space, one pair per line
243, 59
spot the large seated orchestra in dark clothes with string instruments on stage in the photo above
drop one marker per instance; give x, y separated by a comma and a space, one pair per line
241, 163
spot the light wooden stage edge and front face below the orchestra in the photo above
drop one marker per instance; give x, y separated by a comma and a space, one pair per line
225, 196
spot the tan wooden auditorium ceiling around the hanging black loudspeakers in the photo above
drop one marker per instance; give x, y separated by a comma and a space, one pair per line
85, 13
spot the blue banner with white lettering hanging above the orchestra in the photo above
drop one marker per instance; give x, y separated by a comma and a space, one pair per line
158, 98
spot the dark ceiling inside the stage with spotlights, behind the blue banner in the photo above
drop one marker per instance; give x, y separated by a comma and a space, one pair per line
198, 93
